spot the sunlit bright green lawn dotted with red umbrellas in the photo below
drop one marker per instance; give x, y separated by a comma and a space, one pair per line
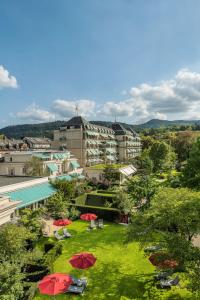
121, 271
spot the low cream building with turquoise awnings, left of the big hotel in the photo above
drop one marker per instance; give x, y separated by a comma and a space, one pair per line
14, 163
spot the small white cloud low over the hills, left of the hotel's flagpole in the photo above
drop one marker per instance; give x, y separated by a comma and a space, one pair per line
33, 113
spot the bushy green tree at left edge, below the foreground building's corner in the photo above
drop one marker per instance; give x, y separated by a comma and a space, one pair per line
13, 242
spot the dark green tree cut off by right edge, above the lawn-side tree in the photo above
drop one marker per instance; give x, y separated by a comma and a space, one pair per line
191, 172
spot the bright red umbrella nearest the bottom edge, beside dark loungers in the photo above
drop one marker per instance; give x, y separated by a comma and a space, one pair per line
54, 284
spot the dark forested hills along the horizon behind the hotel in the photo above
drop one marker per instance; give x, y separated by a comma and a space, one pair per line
46, 129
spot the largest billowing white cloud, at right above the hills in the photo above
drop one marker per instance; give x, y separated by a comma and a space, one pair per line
173, 99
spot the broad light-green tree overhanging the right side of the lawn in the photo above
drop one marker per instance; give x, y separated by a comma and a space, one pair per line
174, 217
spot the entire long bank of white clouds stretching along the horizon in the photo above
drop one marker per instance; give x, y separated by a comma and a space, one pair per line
176, 98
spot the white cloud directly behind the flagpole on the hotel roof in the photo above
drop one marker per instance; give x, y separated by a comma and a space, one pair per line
66, 109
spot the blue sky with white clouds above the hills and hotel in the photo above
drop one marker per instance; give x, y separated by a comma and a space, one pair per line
130, 59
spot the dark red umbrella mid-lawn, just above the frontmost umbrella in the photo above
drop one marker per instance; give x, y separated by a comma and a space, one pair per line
83, 260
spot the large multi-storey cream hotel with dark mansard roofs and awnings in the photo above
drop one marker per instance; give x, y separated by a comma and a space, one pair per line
93, 144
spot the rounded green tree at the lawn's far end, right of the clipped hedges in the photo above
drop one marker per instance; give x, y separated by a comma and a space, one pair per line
141, 189
